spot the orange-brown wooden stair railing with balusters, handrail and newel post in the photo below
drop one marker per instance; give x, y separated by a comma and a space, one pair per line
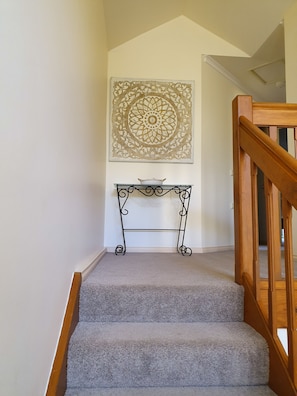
253, 149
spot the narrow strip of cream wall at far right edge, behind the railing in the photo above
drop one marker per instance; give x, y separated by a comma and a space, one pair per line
291, 80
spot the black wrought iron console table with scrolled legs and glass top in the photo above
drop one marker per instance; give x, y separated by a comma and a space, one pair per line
184, 194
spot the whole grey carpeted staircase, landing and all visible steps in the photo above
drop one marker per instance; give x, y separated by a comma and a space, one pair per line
163, 324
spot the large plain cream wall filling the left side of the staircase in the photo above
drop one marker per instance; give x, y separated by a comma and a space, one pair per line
53, 126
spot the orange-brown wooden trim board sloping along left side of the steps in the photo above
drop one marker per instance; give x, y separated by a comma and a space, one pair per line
58, 380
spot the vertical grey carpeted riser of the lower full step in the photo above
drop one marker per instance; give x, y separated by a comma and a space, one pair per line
138, 364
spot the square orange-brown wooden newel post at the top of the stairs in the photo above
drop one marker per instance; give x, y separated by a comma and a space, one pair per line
242, 190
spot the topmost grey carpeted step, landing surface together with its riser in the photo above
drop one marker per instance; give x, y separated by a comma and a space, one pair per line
143, 288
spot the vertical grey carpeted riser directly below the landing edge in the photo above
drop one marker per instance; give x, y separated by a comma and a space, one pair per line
139, 304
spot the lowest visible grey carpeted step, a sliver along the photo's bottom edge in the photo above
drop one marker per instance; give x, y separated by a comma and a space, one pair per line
178, 391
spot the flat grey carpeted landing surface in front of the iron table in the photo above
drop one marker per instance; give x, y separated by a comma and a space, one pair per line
171, 269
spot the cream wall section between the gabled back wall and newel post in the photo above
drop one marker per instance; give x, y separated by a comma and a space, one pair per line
217, 217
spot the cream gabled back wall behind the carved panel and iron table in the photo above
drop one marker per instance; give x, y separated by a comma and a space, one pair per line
171, 51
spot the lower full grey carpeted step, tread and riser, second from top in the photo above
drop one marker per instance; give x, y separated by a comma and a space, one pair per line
166, 355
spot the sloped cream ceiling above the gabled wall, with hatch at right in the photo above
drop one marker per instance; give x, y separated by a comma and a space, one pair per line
263, 44
